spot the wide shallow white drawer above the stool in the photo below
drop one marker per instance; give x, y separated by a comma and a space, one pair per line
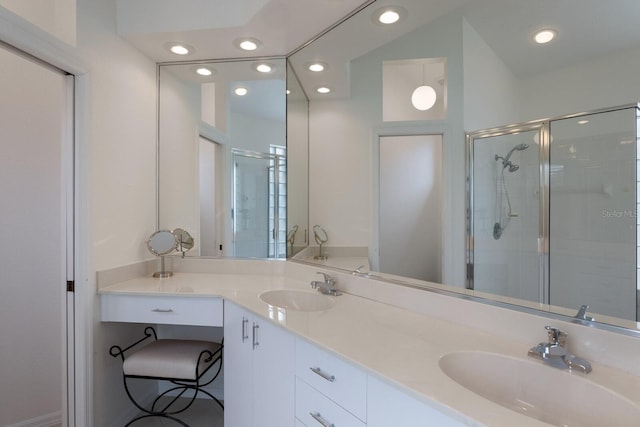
173, 310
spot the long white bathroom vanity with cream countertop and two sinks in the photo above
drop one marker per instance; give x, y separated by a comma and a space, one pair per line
357, 361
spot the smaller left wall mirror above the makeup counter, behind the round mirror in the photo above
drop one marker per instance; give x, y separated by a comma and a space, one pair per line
226, 171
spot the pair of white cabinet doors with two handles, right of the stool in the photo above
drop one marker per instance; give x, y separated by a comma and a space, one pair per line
258, 371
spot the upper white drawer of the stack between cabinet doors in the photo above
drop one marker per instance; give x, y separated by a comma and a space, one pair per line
333, 377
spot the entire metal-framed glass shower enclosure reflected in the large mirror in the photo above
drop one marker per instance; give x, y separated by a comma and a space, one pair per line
552, 211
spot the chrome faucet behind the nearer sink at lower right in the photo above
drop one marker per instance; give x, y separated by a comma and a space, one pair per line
554, 352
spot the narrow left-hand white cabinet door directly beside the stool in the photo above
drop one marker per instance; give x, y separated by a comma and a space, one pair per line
238, 360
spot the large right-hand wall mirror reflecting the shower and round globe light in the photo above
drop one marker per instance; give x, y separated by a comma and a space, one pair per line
484, 70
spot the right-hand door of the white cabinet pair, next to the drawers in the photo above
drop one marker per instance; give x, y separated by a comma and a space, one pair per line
273, 376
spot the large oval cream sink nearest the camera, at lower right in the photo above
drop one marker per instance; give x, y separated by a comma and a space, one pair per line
547, 394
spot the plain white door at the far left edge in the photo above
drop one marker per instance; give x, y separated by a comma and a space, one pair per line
36, 158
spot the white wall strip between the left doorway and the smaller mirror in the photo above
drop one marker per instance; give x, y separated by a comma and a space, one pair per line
120, 196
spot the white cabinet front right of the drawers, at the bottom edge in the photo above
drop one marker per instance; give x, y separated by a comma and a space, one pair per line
388, 406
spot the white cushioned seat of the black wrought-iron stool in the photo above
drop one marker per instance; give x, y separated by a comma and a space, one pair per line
167, 358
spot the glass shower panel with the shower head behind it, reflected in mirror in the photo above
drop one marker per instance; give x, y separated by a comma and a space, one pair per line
505, 207
